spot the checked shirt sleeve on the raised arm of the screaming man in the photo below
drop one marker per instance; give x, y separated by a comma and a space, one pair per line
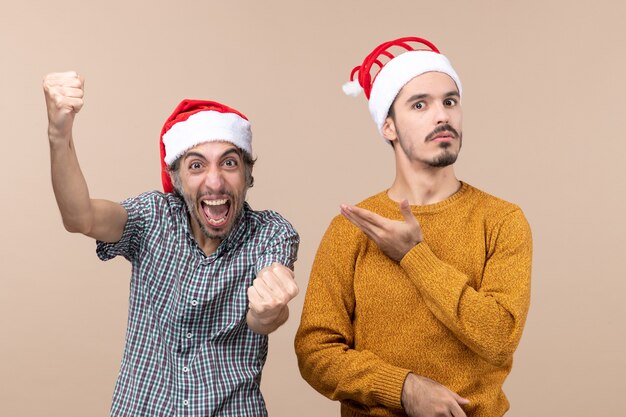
128, 246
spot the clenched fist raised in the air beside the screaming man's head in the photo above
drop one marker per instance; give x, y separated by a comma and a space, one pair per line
64, 98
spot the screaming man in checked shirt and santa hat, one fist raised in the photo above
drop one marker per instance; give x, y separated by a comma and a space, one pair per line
211, 278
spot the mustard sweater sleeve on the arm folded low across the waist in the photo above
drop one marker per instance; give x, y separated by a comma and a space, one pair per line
325, 339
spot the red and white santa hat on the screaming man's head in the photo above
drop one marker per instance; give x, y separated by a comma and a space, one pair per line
197, 121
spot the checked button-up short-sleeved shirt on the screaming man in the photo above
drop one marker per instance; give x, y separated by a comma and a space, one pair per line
189, 351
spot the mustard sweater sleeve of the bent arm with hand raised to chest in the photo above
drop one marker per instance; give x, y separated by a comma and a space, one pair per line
490, 318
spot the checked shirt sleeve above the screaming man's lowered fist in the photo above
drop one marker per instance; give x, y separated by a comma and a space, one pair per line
282, 247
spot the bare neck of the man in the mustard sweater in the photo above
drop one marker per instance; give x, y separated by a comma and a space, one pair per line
421, 184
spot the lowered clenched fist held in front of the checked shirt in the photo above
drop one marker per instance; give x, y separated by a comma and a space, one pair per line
268, 297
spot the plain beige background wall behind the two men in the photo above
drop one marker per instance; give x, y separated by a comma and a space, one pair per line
544, 100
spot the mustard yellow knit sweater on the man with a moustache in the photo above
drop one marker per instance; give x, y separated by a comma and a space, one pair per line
453, 309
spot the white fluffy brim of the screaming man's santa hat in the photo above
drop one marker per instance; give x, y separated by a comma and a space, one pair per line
206, 126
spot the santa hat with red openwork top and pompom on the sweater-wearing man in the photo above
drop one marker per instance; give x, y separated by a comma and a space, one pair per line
391, 73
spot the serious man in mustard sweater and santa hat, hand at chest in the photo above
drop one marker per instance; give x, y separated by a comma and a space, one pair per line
418, 295
